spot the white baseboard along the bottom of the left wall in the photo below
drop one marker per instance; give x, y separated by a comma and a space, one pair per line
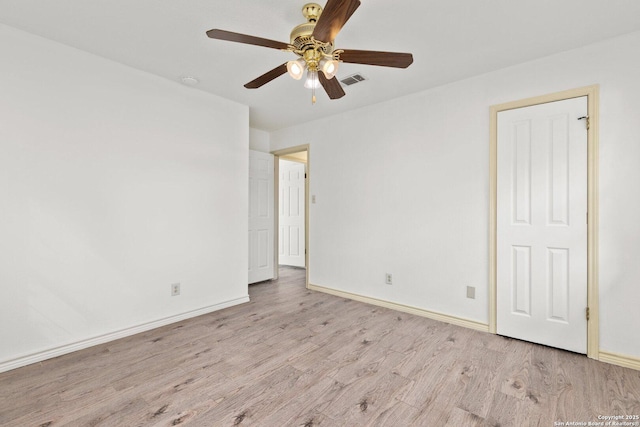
101, 339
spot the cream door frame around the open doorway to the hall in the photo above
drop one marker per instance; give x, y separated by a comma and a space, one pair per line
276, 182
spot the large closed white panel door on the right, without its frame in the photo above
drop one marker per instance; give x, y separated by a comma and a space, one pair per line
542, 224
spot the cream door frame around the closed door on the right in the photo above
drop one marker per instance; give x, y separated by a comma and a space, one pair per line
592, 94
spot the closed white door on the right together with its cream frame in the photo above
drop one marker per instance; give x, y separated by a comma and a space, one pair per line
519, 306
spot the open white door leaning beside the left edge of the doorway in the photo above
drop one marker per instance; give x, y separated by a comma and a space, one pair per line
261, 217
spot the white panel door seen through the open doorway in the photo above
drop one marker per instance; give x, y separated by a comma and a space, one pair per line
291, 241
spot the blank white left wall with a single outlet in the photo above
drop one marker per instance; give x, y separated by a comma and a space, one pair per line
114, 184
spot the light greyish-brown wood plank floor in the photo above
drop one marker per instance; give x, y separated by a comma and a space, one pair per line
292, 357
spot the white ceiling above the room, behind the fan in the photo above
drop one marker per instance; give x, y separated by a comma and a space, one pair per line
450, 40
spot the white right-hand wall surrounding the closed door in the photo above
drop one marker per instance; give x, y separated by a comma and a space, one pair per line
402, 187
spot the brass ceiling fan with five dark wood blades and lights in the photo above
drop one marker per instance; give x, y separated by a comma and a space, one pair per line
313, 43
